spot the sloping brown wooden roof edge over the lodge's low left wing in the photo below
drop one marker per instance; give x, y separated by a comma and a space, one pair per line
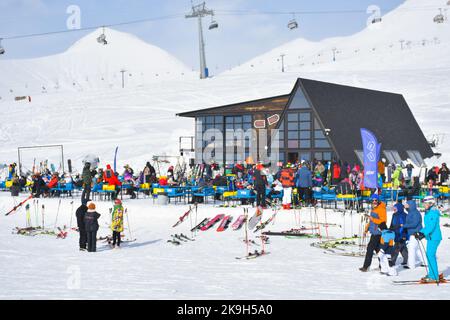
276, 103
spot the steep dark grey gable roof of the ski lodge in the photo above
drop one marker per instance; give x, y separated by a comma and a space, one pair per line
345, 110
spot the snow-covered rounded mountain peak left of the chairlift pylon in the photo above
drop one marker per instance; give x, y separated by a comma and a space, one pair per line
88, 64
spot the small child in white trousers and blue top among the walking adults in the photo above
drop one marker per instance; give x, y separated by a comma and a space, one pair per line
387, 250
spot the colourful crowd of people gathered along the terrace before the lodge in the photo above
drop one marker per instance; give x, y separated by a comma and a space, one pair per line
296, 181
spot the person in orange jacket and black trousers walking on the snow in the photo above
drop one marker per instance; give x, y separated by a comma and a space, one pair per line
377, 216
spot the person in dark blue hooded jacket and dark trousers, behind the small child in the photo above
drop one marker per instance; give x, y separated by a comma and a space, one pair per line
397, 222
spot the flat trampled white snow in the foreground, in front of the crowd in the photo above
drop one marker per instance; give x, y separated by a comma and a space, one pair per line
41, 267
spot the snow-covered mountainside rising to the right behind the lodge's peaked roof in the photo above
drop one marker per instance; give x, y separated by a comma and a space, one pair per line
407, 38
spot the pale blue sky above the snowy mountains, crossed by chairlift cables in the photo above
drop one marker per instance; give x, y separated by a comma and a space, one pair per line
238, 39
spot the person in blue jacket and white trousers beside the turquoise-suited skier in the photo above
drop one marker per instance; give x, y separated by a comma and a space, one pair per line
413, 224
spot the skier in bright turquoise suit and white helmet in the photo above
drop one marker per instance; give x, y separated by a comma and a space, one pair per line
432, 232
